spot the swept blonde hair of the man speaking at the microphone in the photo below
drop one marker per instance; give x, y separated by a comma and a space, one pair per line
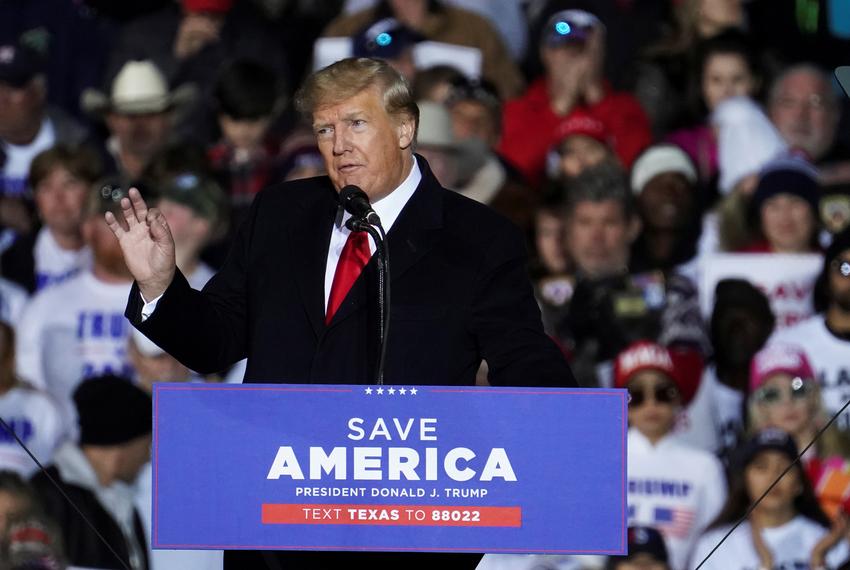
348, 77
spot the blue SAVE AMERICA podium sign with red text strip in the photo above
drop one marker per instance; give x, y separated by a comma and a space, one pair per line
389, 468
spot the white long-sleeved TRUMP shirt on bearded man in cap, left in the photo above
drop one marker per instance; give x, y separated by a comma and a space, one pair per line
72, 331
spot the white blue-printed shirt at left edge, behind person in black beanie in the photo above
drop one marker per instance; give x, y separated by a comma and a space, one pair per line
37, 421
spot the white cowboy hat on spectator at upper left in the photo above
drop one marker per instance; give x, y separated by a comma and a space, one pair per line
140, 87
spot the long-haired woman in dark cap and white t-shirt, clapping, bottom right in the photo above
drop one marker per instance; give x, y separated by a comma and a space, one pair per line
786, 529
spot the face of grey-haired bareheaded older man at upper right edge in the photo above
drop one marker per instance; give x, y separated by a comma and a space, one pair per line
802, 112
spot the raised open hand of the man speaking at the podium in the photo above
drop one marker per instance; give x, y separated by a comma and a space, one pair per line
147, 244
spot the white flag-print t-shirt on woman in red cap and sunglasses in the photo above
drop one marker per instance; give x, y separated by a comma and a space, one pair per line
675, 488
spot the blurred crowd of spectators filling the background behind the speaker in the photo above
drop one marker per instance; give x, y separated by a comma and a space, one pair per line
681, 169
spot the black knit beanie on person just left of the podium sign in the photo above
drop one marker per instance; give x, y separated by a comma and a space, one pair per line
112, 410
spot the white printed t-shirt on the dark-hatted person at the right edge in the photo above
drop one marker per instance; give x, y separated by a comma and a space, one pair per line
830, 358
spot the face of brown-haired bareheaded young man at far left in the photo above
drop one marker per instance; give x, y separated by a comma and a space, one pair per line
60, 198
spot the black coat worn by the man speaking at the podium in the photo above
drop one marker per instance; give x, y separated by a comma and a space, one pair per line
460, 294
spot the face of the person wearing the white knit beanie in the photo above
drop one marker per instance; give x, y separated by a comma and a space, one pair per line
666, 201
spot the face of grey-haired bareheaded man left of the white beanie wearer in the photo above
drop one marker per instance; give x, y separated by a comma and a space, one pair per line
599, 236
